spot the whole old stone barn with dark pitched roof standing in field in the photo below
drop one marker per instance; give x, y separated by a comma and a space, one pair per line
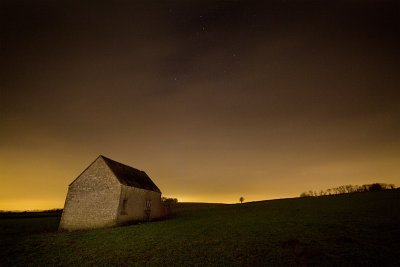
110, 193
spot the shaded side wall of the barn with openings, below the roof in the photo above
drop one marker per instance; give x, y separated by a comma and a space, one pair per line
139, 204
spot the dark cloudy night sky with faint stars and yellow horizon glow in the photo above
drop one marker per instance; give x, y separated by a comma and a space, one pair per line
213, 99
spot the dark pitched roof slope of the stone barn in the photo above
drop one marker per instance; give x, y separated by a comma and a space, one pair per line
130, 176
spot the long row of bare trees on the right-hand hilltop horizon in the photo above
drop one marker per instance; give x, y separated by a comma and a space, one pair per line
345, 189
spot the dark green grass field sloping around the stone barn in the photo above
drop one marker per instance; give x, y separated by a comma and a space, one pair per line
348, 230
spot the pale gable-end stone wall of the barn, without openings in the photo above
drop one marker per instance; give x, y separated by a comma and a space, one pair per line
92, 199
